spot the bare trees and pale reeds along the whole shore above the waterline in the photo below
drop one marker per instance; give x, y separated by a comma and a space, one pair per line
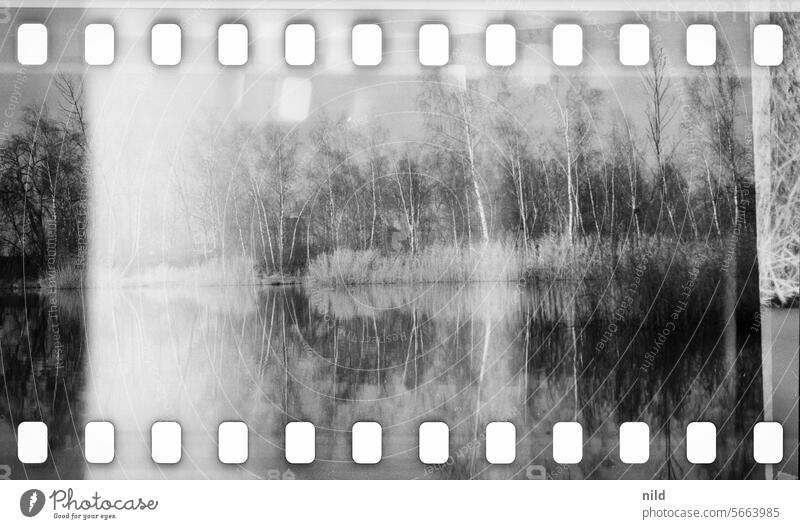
491, 179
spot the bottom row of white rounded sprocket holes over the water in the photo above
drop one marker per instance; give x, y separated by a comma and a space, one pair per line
433, 443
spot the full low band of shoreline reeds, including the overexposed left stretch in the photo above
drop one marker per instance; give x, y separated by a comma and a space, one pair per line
550, 258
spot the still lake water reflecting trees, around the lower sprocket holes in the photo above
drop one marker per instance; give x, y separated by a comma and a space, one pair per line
466, 355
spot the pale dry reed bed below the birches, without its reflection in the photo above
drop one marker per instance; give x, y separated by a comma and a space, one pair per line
549, 258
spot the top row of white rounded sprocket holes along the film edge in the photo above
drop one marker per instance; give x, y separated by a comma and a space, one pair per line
367, 44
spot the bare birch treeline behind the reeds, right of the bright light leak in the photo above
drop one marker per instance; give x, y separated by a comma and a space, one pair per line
501, 160
